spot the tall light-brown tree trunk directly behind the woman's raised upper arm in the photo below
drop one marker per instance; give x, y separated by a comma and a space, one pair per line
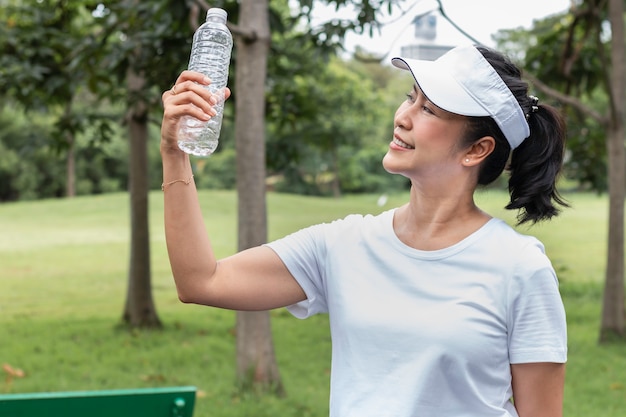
256, 363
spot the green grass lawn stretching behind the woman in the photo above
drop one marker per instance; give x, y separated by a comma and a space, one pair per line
63, 273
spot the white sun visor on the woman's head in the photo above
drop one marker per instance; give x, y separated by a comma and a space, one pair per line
463, 82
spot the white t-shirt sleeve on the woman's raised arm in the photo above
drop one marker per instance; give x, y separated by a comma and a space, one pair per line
303, 253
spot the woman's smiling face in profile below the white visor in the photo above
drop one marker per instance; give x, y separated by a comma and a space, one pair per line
425, 139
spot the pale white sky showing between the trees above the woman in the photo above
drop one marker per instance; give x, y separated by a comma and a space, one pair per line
479, 18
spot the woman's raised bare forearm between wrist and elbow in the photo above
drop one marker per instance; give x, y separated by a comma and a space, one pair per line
190, 253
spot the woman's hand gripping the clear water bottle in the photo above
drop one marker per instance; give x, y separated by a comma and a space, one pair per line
187, 97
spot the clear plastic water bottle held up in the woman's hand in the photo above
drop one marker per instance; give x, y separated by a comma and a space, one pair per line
210, 55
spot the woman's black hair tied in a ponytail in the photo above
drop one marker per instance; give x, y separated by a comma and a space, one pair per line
535, 165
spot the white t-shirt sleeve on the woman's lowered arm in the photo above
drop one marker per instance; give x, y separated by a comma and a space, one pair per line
536, 316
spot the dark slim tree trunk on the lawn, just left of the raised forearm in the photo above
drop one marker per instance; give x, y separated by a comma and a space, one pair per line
139, 310
